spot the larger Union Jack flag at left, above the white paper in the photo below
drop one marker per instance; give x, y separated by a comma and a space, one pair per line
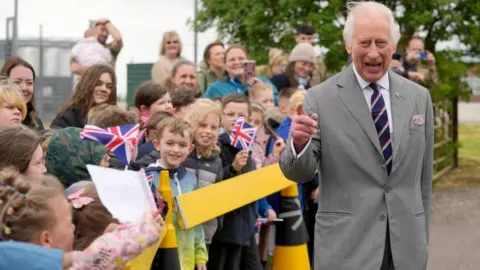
121, 140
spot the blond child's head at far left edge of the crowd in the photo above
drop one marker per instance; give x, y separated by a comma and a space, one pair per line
12, 107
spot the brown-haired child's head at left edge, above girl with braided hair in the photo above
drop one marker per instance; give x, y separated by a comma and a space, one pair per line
20, 148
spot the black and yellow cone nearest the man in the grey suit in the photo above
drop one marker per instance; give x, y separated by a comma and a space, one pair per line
290, 235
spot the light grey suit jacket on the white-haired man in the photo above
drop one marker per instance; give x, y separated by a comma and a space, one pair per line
357, 197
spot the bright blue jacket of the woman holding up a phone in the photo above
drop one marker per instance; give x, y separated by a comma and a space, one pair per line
226, 87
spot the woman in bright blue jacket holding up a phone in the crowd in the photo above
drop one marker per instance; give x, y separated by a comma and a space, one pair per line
240, 75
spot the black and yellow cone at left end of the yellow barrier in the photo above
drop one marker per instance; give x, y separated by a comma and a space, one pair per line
166, 257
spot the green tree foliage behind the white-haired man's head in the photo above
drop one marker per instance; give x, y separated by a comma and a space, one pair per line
263, 24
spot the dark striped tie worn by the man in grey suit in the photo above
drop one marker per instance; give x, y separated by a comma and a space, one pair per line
380, 119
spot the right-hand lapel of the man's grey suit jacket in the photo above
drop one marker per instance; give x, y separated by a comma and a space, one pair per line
399, 104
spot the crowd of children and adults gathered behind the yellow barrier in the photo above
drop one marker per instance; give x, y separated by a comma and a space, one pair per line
186, 114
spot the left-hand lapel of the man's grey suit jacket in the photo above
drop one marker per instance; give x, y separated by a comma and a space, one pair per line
352, 96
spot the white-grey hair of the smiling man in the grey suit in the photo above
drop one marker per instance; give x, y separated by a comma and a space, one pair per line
361, 8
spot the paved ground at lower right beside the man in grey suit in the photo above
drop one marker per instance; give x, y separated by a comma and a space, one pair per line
455, 230
